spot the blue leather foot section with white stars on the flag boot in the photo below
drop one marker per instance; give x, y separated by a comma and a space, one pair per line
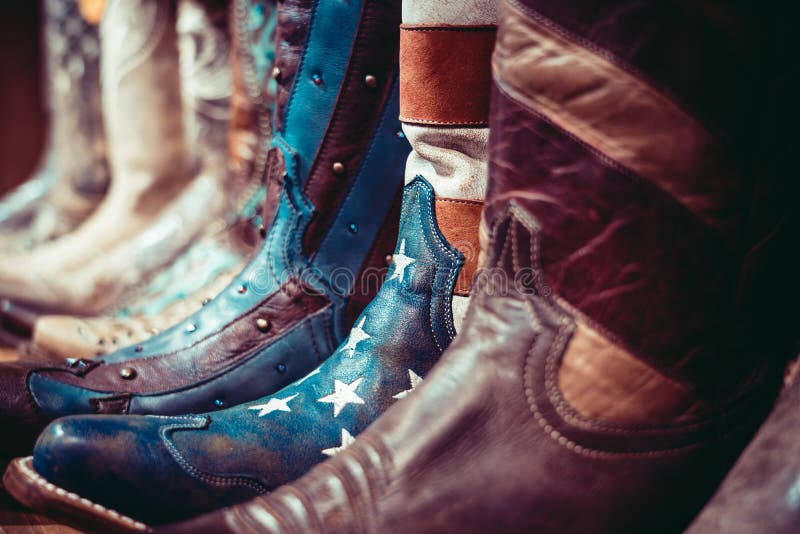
175, 468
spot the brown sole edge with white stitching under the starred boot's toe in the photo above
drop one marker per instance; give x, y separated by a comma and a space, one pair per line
35, 492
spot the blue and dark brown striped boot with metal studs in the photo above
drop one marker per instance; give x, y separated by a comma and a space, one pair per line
332, 222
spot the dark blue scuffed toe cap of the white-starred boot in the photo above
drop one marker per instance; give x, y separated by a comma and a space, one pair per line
126, 464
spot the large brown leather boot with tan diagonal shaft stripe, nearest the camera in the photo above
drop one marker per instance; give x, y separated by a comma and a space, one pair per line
601, 382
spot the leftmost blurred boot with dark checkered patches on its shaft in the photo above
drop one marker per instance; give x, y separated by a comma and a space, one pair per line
73, 176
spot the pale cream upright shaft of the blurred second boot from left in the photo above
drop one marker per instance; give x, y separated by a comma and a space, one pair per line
142, 104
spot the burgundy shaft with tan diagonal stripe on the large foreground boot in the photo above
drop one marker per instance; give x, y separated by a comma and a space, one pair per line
640, 200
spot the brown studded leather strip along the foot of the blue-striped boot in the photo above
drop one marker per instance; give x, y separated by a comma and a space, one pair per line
236, 342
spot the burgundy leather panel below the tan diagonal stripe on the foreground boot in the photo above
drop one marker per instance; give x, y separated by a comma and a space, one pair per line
614, 246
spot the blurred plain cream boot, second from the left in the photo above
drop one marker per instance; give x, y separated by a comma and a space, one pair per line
149, 214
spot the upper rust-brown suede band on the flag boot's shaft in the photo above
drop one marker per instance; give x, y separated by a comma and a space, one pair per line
445, 74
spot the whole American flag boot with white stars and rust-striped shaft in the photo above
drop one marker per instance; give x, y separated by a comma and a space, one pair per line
396, 340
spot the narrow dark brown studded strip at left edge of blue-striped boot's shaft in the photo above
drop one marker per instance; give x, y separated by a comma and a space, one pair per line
294, 18
